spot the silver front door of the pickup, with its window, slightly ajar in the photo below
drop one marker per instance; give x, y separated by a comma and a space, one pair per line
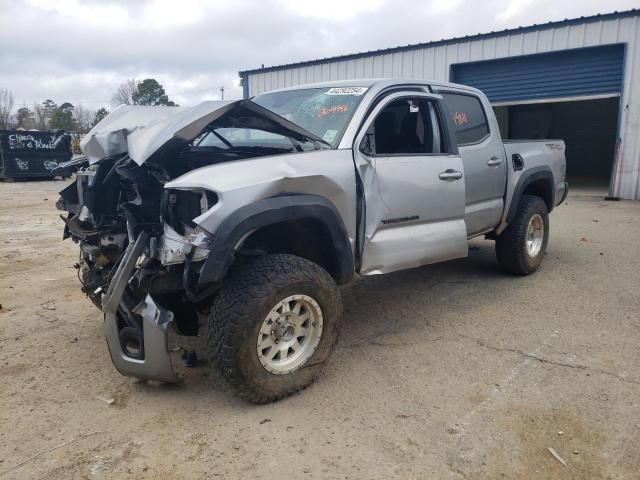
412, 184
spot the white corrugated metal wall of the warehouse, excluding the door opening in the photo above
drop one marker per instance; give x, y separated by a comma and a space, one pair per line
435, 61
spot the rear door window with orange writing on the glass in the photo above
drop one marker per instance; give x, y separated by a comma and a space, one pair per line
467, 116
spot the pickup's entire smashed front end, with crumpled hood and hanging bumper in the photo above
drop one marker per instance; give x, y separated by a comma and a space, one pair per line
141, 253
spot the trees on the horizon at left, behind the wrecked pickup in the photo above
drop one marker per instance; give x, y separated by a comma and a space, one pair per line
48, 115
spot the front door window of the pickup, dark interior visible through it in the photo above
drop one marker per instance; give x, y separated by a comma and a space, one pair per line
404, 127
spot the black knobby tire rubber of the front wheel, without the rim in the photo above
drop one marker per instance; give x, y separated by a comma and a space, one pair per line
251, 289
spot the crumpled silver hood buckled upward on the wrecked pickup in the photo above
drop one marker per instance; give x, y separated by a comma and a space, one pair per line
146, 132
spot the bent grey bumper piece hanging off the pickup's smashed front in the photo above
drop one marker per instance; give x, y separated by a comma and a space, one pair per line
156, 363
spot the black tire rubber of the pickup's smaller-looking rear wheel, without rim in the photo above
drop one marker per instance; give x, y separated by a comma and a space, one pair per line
511, 249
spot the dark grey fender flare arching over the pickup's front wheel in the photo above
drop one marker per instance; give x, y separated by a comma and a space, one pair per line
270, 211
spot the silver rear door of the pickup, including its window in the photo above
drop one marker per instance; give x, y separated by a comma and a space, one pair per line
483, 156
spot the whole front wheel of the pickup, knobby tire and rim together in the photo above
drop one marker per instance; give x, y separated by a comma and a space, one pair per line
273, 326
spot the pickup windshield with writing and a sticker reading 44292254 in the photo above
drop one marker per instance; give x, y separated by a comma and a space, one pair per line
324, 112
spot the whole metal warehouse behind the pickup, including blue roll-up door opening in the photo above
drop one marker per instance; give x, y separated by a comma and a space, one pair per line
576, 79
